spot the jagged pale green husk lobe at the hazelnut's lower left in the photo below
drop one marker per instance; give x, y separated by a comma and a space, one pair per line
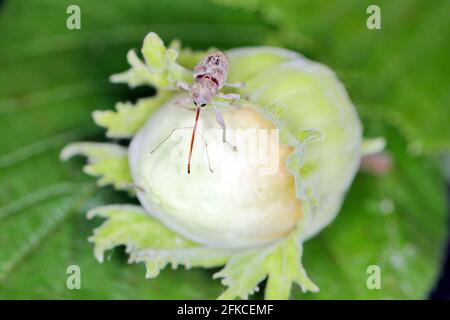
147, 240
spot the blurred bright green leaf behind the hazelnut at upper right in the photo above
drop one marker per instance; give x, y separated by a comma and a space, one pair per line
395, 73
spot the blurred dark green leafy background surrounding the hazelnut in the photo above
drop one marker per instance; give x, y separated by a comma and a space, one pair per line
52, 78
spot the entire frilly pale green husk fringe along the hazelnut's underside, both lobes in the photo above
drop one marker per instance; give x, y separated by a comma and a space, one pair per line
147, 240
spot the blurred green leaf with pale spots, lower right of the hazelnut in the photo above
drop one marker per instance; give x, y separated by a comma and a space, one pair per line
396, 221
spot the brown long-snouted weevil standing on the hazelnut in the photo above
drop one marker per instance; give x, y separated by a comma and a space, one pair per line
210, 76
